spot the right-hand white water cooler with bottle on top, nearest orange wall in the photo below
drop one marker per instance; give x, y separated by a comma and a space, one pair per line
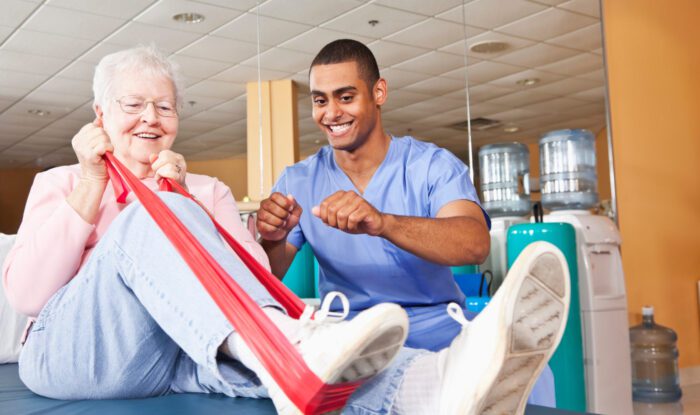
569, 189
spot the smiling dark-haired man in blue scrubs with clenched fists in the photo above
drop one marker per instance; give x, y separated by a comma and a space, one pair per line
385, 216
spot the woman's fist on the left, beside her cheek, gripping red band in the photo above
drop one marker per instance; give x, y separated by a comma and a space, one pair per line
90, 144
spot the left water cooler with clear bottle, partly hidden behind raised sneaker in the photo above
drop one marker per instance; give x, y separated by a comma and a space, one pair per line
504, 171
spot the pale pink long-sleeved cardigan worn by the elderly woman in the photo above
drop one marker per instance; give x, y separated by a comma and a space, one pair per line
53, 241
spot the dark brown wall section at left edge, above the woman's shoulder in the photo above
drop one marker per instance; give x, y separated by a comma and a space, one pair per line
13, 195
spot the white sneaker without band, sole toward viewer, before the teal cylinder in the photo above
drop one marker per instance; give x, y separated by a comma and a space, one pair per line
492, 365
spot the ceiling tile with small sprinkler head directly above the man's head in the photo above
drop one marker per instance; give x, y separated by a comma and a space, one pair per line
390, 21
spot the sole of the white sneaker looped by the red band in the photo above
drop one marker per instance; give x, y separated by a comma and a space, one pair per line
365, 357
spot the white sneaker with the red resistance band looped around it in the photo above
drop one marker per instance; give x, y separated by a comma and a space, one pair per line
339, 351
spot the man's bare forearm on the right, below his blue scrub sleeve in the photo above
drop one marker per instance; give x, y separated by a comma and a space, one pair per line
446, 241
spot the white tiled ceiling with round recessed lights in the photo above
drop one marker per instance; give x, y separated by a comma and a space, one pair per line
48, 50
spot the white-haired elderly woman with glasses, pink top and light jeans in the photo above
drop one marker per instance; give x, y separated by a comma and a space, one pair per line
117, 313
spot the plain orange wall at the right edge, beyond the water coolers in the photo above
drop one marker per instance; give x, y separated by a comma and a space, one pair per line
653, 52
